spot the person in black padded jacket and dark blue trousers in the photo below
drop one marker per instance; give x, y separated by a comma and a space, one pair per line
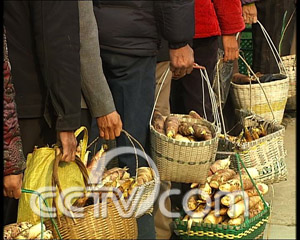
129, 44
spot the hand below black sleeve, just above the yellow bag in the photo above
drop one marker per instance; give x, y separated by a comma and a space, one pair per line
69, 144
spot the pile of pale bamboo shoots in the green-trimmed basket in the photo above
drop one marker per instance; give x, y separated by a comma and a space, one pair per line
224, 186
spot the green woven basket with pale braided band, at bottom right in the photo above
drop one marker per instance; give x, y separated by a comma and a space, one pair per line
252, 228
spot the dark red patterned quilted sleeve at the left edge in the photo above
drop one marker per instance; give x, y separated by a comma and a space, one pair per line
14, 160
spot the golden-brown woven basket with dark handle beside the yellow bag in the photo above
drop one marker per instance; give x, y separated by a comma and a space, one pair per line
89, 226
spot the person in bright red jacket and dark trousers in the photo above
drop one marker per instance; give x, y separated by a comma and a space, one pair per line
212, 19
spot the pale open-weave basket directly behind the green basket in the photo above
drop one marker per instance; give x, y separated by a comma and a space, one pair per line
267, 154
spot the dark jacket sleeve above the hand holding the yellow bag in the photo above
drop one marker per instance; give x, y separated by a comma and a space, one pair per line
56, 32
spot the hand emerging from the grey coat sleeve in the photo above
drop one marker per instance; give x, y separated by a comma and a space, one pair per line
110, 126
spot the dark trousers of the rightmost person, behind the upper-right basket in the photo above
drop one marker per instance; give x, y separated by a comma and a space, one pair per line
270, 14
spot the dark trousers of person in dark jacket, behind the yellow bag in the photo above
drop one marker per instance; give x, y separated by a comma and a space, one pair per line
34, 132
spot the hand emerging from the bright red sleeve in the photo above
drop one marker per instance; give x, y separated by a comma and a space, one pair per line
231, 47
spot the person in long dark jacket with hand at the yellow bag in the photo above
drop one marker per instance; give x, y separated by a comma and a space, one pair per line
43, 43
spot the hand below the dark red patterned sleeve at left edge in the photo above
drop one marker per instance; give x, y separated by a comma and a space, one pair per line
12, 186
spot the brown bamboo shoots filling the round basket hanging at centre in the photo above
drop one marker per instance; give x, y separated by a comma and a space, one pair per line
179, 129
